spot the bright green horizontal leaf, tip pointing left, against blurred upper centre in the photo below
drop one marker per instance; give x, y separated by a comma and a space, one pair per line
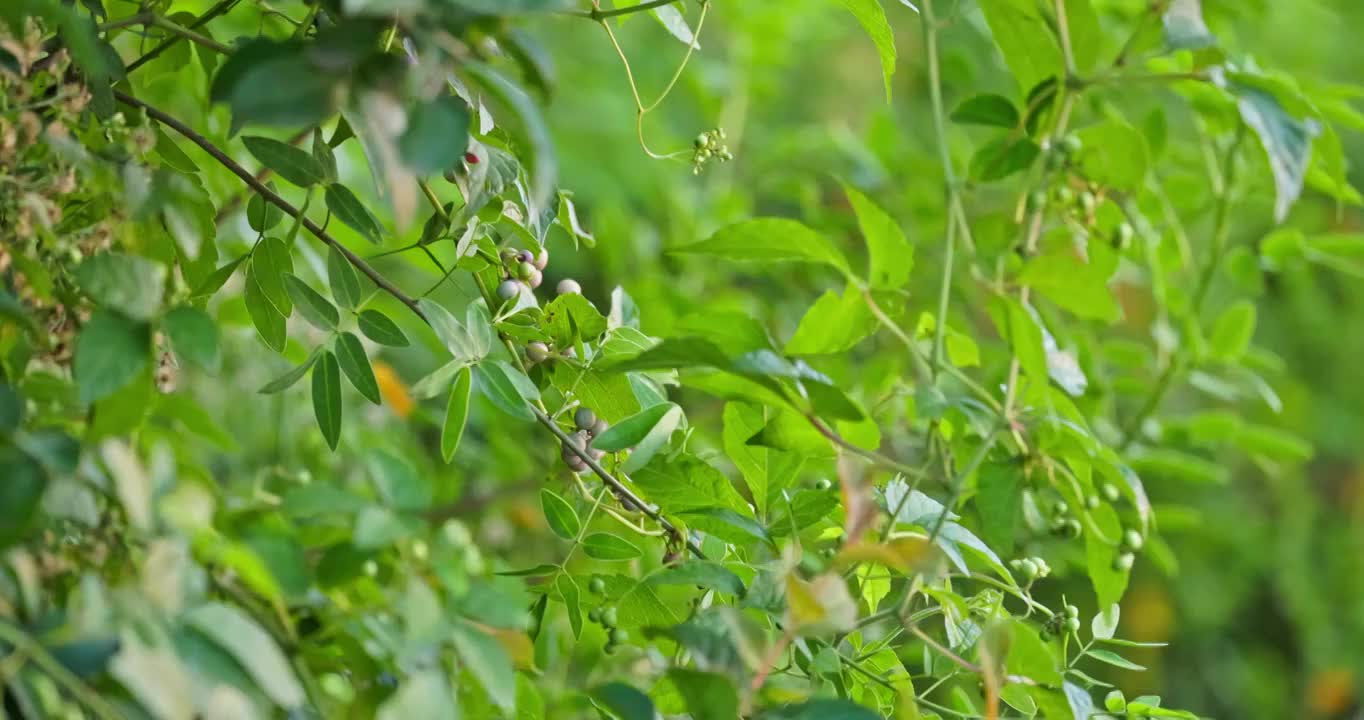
770, 241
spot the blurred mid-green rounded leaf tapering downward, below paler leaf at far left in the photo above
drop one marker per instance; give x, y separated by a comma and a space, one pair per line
111, 351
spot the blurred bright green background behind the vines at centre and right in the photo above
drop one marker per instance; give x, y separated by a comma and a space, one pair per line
1264, 606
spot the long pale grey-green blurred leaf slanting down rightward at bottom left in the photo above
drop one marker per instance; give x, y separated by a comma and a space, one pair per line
253, 648
